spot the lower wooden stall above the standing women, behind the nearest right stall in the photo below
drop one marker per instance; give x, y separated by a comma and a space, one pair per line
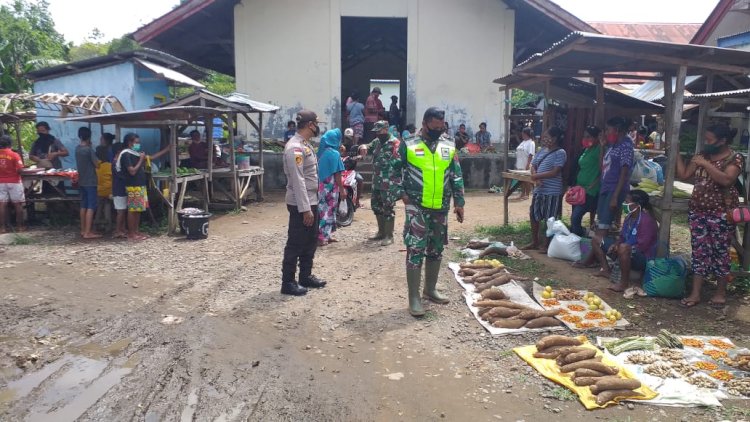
580, 99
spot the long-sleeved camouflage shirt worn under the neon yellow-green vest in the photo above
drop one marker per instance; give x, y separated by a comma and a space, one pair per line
412, 186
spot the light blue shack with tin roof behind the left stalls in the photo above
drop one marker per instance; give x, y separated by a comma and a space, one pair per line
138, 79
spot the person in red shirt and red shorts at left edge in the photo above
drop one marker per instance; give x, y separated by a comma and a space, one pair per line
11, 188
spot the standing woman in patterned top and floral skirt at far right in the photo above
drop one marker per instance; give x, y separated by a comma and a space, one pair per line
714, 172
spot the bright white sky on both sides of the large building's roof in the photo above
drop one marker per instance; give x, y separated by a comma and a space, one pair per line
75, 19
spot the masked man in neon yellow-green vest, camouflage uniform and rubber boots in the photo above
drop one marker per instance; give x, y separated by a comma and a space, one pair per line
431, 176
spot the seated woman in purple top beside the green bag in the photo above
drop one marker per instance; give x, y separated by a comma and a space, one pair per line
635, 245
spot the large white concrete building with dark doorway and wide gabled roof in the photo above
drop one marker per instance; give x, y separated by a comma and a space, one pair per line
314, 53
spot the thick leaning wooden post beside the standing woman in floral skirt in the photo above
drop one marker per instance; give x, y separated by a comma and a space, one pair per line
674, 109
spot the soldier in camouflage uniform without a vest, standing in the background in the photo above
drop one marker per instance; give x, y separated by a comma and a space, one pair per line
386, 180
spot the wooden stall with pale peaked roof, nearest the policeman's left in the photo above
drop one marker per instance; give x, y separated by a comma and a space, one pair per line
231, 107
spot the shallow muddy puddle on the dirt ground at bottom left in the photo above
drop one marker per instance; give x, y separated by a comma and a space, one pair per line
65, 389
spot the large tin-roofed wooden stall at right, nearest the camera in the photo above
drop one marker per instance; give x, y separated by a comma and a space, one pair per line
587, 55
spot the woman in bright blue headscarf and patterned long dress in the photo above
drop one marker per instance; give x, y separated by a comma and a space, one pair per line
330, 184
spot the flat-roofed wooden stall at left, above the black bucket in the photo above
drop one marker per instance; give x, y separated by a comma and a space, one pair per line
169, 119
